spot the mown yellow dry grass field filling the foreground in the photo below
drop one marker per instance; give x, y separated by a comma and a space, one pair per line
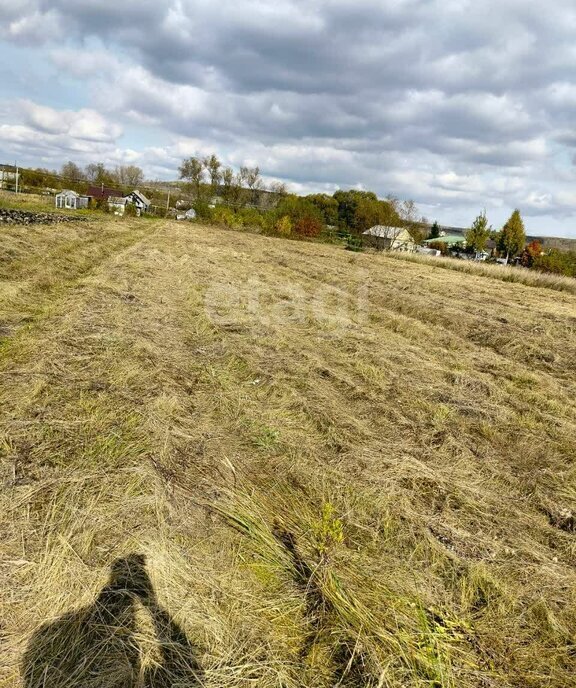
234, 461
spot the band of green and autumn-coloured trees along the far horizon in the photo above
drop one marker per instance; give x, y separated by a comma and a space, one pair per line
240, 198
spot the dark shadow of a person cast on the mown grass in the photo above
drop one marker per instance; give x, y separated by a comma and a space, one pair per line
97, 646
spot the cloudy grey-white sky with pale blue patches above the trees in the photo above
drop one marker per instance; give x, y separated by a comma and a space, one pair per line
457, 104
